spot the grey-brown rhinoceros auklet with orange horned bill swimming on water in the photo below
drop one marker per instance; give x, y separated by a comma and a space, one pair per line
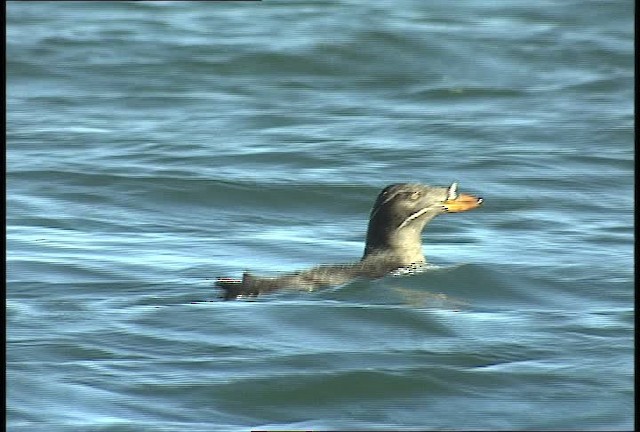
394, 242
